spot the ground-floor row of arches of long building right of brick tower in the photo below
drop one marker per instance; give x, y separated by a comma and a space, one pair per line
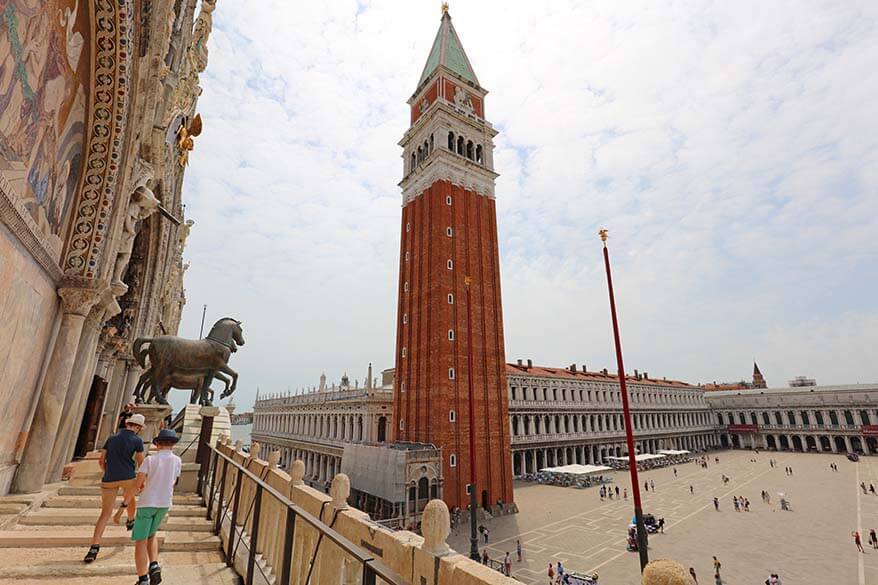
532, 460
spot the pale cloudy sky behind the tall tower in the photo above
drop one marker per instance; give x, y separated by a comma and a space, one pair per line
731, 149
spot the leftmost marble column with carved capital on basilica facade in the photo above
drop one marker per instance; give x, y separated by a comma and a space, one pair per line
34, 467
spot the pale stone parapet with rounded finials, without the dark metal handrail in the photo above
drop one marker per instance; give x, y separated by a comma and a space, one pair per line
411, 558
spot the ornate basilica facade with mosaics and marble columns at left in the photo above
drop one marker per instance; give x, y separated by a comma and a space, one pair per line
97, 120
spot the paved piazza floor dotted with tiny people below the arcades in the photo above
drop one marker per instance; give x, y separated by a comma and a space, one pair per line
810, 544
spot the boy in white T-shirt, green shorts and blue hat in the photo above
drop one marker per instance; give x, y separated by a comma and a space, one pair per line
157, 476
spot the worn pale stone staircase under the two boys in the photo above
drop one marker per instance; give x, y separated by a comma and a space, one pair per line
43, 538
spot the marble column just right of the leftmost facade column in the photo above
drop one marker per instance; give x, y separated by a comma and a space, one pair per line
80, 384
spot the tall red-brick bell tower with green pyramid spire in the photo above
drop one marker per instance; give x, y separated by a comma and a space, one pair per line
449, 232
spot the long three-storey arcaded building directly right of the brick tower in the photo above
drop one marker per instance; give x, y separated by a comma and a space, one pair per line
559, 416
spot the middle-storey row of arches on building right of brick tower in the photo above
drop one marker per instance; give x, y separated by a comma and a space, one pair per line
547, 424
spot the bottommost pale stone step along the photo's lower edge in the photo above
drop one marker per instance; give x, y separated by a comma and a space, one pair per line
82, 574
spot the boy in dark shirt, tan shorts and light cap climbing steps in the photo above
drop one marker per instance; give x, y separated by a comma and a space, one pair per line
119, 458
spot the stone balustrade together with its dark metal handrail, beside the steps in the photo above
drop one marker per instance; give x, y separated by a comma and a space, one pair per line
276, 530
